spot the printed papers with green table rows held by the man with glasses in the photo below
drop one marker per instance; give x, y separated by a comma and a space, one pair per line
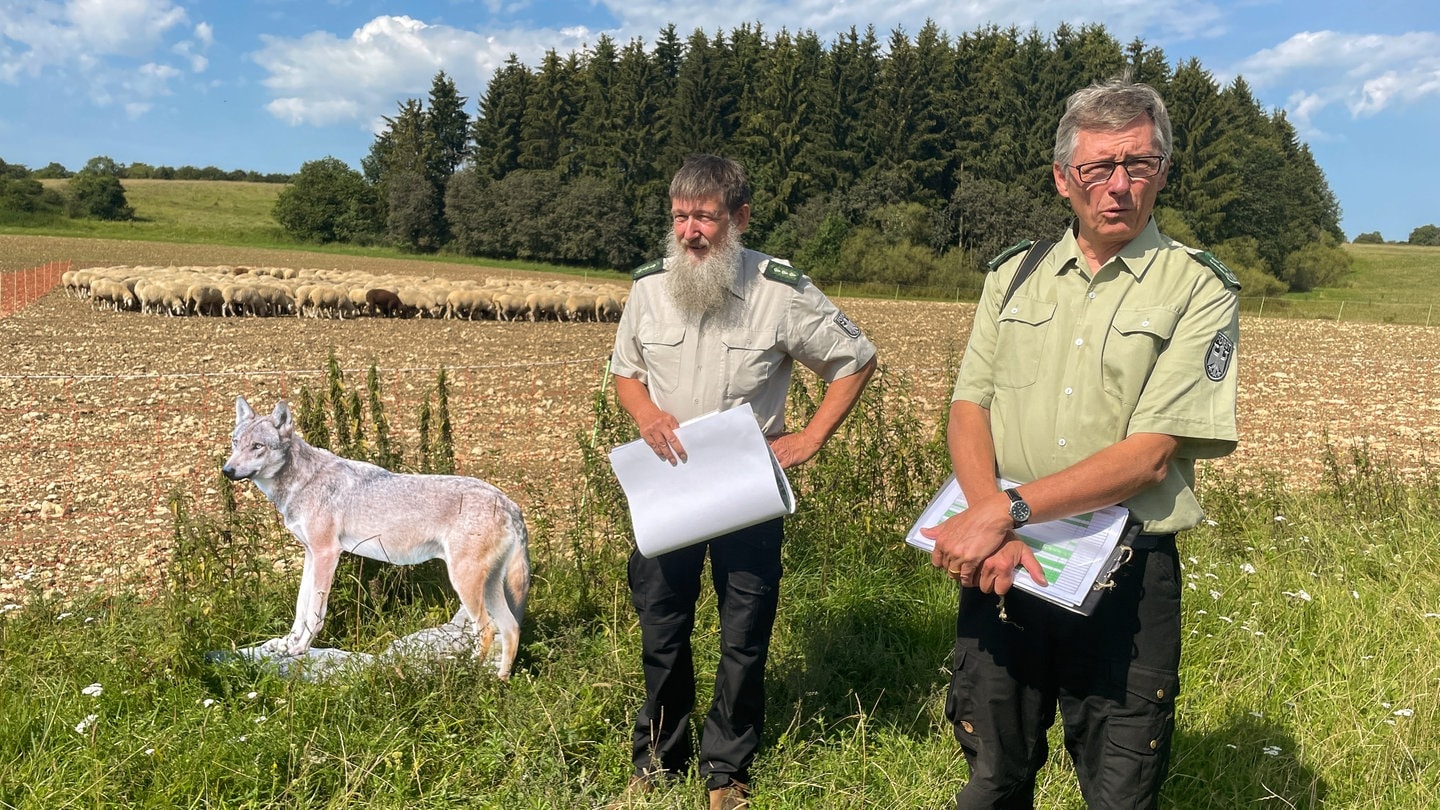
1075, 553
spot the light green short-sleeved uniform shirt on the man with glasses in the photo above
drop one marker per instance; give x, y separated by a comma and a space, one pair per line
1076, 364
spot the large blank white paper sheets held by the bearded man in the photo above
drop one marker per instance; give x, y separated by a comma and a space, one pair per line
729, 482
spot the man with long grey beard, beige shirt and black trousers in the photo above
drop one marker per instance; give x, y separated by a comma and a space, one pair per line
706, 329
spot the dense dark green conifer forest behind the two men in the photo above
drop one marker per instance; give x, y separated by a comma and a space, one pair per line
902, 159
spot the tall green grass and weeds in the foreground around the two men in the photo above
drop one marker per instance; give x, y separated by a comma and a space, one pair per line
1310, 671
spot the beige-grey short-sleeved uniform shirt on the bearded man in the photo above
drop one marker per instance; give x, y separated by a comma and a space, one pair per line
716, 364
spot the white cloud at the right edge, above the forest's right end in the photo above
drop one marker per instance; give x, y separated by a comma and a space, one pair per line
1366, 74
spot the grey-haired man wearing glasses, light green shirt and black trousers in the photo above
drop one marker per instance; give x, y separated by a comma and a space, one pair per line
1099, 381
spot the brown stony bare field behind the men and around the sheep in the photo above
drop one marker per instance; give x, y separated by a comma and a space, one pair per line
104, 414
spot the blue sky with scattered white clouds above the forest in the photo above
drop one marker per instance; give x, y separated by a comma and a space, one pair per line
271, 84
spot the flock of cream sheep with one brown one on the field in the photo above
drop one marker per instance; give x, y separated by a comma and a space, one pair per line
224, 290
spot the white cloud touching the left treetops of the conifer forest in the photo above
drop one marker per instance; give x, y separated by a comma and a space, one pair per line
325, 80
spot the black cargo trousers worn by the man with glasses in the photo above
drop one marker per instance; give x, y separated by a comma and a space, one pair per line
1114, 677
